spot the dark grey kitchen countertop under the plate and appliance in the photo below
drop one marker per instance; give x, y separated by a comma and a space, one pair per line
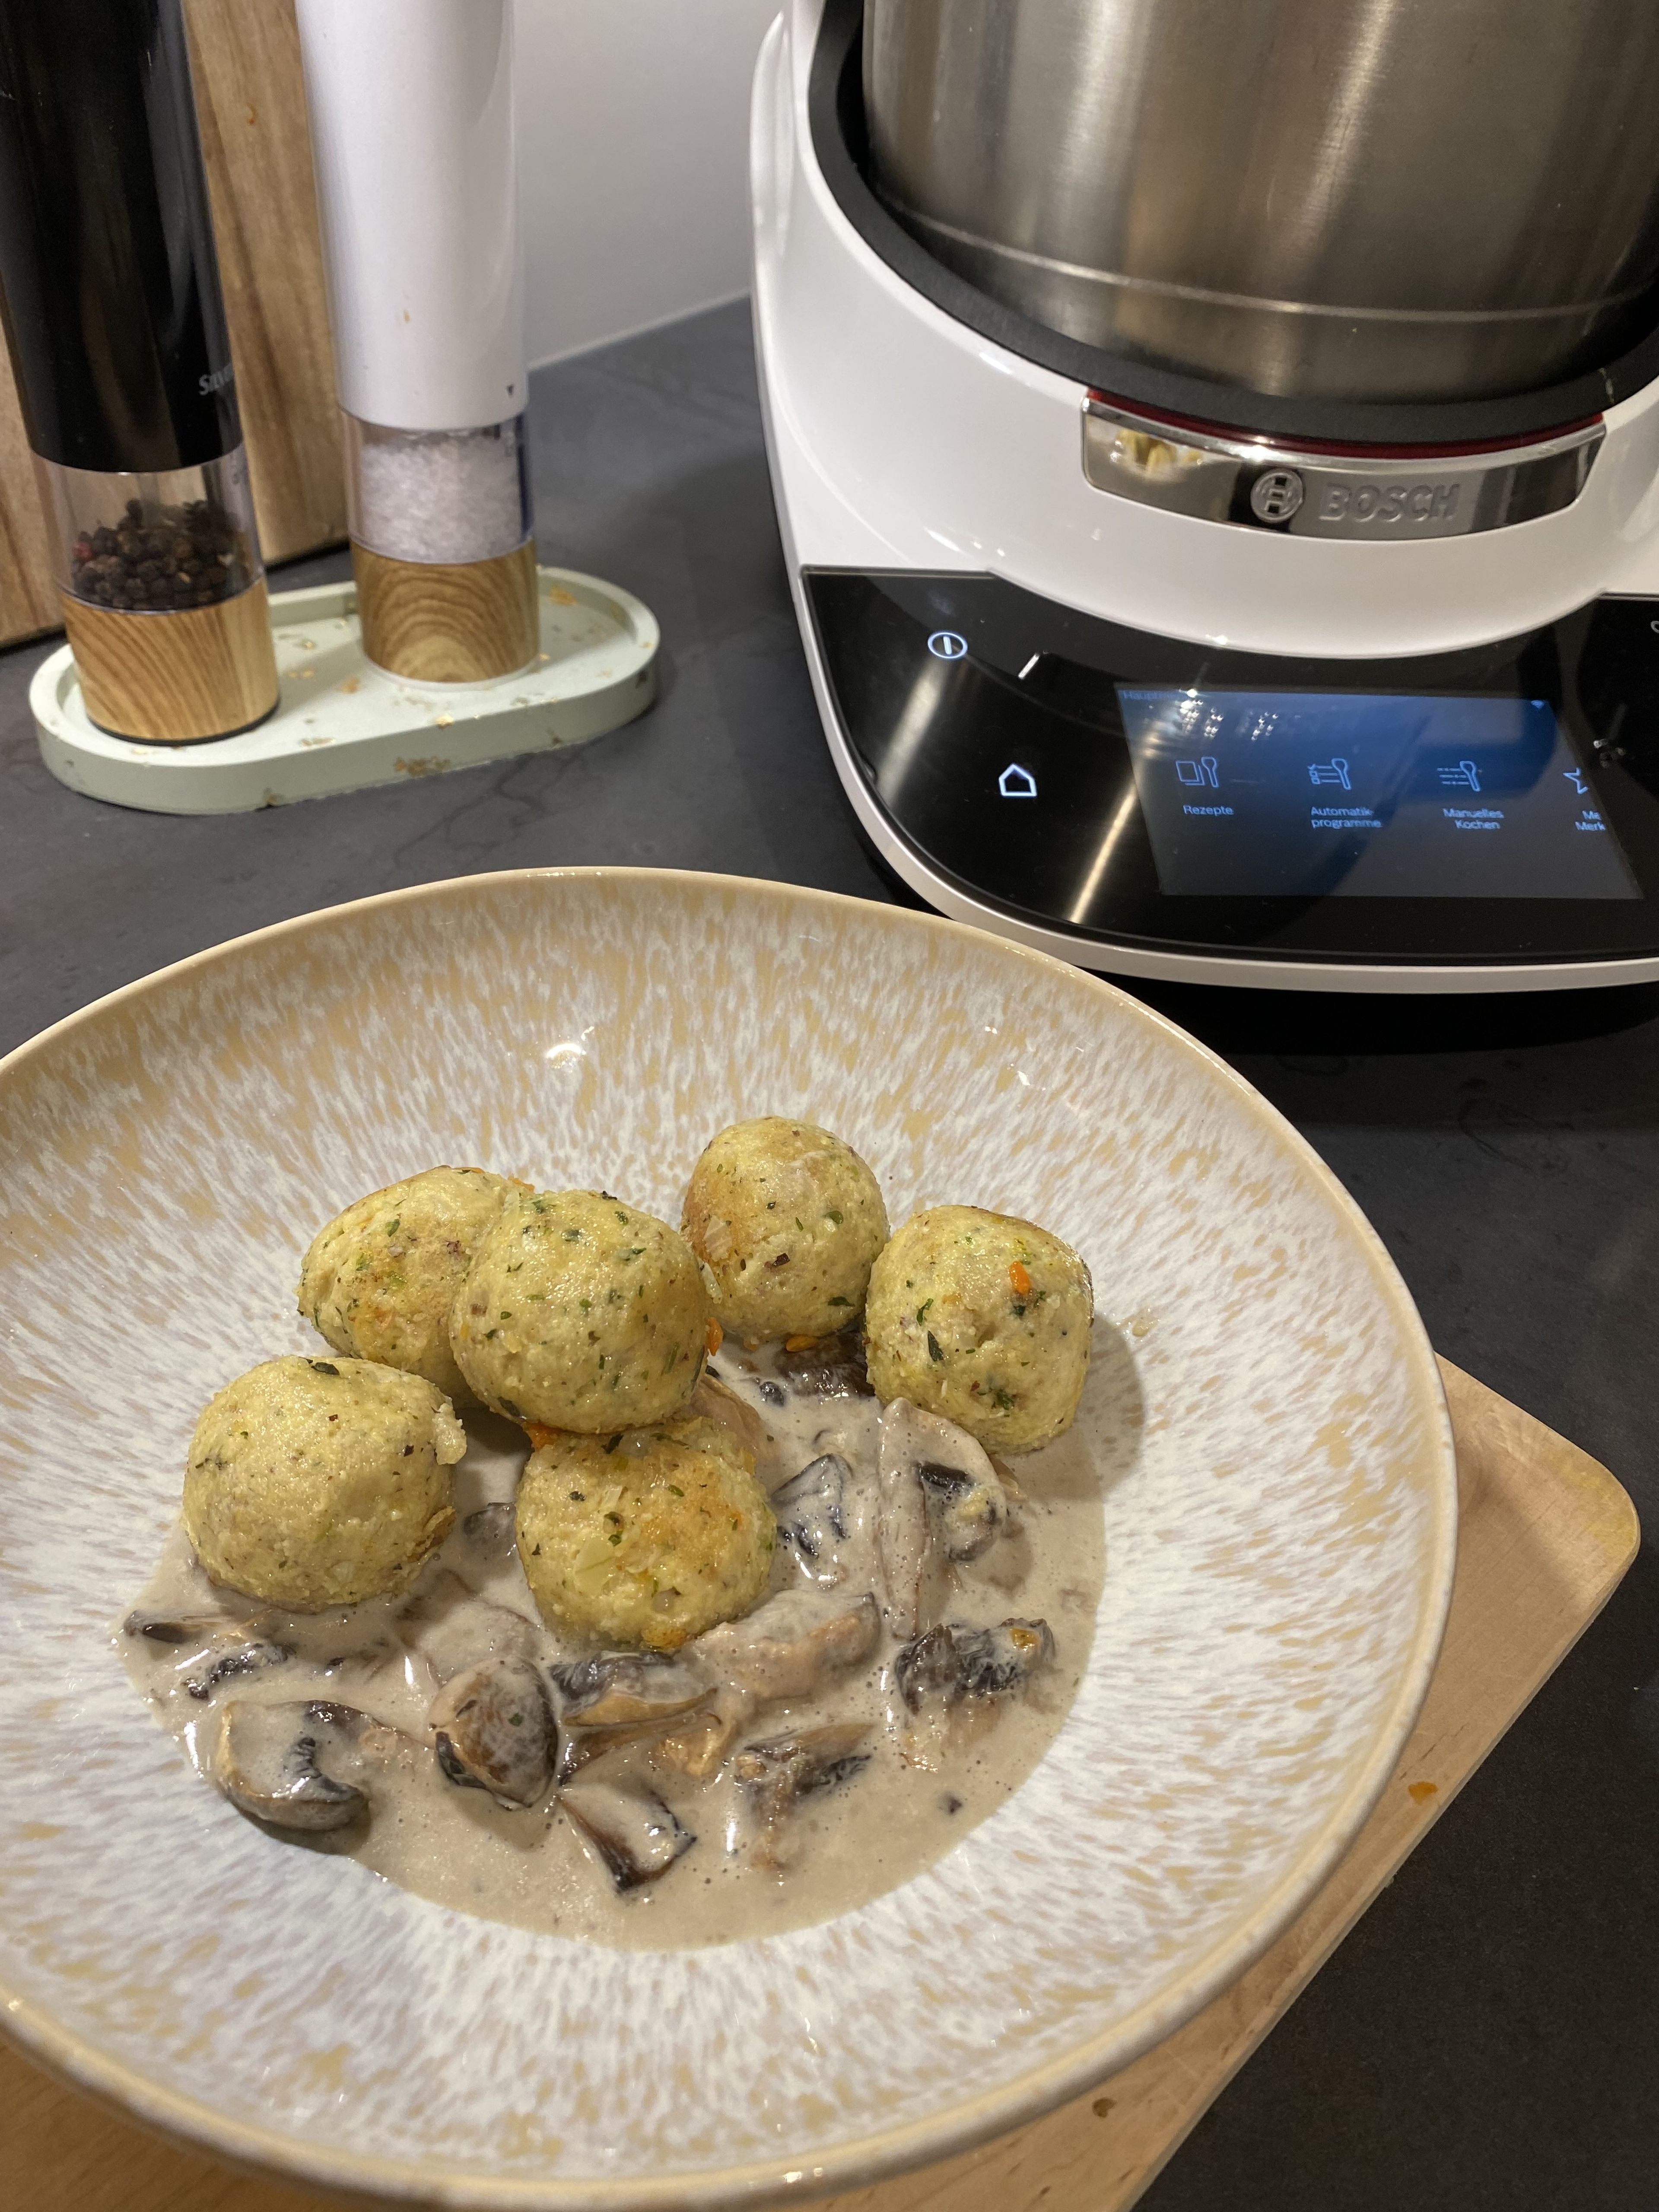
1488, 2036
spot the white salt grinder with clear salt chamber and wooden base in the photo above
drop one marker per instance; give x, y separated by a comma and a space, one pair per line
413, 138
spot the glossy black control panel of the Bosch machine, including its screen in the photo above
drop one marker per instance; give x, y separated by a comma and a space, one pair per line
1496, 804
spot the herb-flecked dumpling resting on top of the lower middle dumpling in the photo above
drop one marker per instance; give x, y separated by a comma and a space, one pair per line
581, 1313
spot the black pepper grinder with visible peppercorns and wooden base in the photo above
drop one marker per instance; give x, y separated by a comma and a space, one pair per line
116, 326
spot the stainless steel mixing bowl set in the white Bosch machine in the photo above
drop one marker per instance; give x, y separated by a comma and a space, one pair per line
1370, 200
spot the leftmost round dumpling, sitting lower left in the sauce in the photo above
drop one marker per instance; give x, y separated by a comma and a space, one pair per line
322, 1483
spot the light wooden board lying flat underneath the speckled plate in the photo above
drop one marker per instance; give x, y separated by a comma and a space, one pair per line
1545, 1538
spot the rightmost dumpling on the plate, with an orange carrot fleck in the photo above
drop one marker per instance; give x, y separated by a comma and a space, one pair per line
983, 1319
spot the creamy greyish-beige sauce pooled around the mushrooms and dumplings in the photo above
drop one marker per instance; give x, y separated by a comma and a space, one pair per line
924, 1784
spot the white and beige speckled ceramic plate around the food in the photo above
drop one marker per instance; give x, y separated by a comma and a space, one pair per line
1280, 1536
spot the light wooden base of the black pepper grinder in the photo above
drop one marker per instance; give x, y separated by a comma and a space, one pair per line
176, 678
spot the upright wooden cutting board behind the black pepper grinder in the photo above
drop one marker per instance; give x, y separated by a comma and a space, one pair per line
258, 149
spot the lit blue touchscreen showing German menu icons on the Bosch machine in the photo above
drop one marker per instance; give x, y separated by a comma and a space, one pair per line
1315, 795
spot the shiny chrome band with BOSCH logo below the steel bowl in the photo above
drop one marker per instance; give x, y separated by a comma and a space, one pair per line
1381, 499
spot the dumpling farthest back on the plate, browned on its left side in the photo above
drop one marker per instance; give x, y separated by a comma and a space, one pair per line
789, 1220
